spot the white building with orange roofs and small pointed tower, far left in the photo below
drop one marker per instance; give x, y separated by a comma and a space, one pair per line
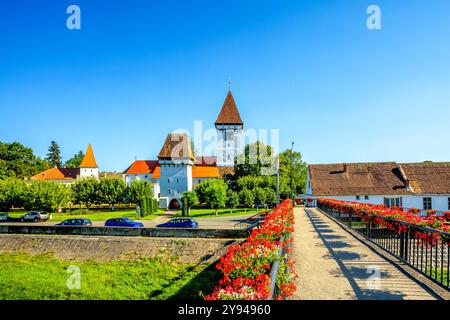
88, 168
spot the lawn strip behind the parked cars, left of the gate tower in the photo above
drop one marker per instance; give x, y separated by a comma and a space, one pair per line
95, 215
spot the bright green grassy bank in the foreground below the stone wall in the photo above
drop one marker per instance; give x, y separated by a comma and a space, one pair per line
31, 277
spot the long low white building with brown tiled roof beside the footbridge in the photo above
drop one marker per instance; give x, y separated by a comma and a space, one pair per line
423, 185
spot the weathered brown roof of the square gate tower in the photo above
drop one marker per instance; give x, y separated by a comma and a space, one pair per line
176, 146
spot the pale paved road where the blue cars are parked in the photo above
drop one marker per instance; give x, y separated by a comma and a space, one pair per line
225, 222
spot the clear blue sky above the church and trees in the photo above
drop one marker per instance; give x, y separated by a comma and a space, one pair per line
139, 69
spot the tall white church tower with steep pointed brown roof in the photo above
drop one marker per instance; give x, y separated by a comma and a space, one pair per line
229, 127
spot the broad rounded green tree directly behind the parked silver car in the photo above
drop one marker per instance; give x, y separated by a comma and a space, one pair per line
47, 196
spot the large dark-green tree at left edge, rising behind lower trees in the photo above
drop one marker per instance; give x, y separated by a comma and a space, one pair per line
19, 161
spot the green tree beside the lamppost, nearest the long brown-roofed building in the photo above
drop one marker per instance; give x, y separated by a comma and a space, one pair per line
299, 171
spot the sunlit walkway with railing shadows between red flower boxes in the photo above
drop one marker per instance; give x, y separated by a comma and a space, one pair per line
333, 265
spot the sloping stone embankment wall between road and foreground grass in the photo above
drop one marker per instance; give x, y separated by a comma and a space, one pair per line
104, 248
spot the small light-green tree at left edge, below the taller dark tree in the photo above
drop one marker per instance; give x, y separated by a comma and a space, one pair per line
12, 192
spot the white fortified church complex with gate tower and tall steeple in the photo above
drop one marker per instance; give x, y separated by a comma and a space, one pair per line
177, 169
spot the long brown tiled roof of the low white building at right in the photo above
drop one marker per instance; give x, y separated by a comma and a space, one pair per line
381, 178
